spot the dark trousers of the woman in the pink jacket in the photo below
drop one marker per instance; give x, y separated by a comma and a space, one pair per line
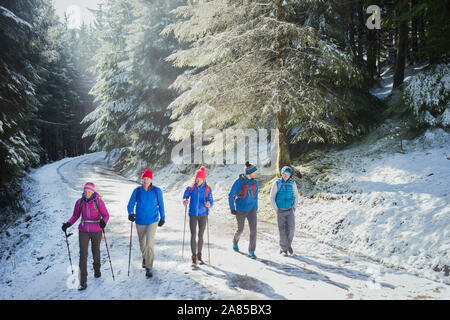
95, 238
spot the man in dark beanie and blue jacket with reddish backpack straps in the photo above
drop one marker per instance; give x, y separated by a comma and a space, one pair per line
243, 201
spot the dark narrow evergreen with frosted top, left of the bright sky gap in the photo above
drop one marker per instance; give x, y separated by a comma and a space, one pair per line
60, 133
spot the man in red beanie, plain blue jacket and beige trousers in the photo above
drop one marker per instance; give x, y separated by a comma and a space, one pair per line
149, 214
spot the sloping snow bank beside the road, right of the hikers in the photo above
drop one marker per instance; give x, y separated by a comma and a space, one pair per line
388, 202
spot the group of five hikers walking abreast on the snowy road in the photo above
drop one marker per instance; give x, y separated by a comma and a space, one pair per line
146, 210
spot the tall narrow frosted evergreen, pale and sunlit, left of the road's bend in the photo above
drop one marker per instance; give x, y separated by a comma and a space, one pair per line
112, 86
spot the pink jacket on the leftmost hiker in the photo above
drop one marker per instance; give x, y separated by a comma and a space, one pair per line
89, 213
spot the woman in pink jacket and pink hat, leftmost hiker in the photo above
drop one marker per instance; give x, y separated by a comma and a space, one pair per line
94, 217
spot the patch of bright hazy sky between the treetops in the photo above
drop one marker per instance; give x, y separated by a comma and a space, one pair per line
77, 10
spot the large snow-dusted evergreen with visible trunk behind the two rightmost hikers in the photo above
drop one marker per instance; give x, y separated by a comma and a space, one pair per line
253, 61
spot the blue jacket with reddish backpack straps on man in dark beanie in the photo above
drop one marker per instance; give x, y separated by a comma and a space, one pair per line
250, 201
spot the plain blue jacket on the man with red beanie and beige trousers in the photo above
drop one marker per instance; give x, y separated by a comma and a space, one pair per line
149, 205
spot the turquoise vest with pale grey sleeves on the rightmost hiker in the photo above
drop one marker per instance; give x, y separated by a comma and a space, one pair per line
284, 194
